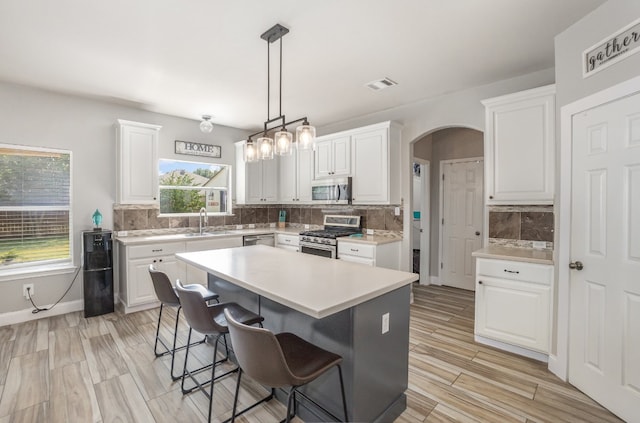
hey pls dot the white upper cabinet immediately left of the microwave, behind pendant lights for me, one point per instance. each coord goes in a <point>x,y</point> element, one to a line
<point>296,174</point>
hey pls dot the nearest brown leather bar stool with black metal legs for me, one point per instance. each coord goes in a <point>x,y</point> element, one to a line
<point>281,360</point>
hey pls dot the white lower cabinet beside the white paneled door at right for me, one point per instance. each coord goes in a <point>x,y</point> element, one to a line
<point>513,303</point>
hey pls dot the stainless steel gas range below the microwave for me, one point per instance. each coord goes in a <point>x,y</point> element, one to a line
<point>324,242</point>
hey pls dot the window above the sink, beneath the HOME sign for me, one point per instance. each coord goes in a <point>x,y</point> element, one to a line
<point>186,187</point>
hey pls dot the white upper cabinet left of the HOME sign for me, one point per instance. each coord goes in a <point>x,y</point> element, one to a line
<point>137,162</point>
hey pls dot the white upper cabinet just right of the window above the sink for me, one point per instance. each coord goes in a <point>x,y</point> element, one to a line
<point>257,182</point>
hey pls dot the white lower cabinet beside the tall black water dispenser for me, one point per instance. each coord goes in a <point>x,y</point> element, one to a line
<point>135,287</point>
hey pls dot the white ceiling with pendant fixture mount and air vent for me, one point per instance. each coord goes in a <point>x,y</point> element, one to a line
<point>193,57</point>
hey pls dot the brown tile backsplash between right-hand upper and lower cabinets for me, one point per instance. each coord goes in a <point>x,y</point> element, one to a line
<point>519,226</point>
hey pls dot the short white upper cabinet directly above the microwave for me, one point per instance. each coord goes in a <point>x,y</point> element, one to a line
<point>332,156</point>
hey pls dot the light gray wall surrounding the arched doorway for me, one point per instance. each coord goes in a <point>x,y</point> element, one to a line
<point>458,109</point>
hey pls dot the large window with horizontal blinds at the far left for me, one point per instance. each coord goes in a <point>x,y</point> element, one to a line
<point>35,204</point>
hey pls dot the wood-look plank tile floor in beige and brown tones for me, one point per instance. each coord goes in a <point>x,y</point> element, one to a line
<point>102,369</point>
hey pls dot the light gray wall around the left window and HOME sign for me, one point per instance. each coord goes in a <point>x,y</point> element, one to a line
<point>86,127</point>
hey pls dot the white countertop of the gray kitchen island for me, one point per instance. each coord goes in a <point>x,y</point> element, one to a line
<point>316,286</point>
